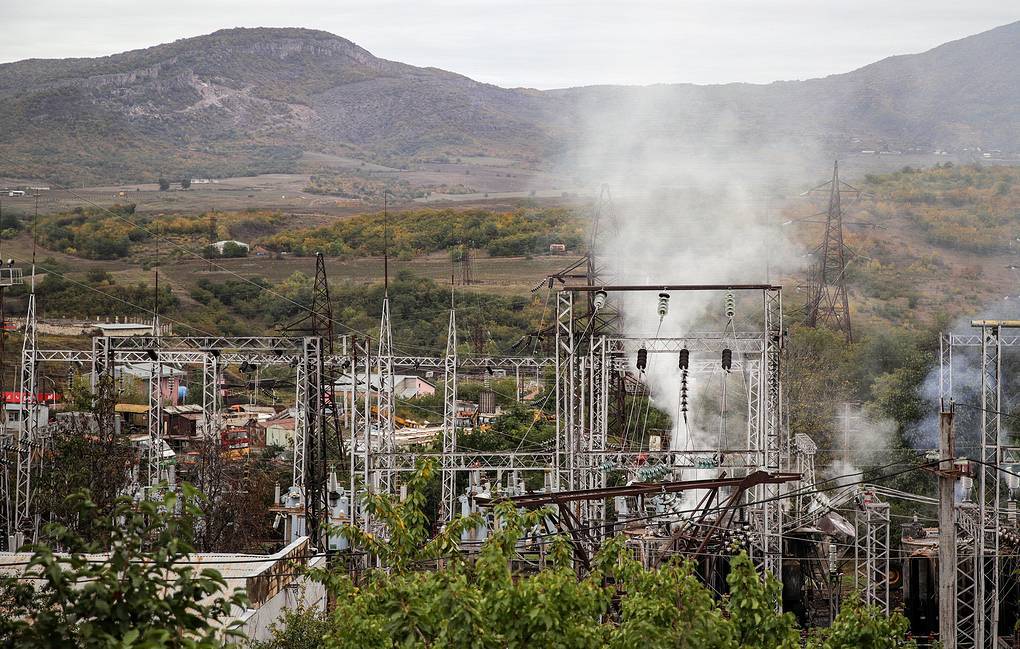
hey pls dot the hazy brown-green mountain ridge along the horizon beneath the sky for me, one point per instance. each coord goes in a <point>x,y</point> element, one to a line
<point>251,101</point>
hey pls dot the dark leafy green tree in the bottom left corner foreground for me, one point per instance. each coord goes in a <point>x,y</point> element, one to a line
<point>144,592</point>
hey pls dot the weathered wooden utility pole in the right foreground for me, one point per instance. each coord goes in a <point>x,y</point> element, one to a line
<point>947,531</point>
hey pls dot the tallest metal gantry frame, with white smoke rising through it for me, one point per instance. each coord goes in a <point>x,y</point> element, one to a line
<point>584,362</point>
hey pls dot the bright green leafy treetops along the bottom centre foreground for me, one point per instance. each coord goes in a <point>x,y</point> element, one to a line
<point>427,594</point>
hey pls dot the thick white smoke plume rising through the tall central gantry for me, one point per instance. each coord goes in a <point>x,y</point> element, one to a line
<point>692,209</point>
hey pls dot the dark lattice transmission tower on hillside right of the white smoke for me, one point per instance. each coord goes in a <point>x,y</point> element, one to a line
<point>829,303</point>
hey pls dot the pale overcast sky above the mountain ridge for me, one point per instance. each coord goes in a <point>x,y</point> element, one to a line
<point>538,43</point>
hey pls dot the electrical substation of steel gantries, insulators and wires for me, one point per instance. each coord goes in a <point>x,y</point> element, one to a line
<point>716,484</point>
